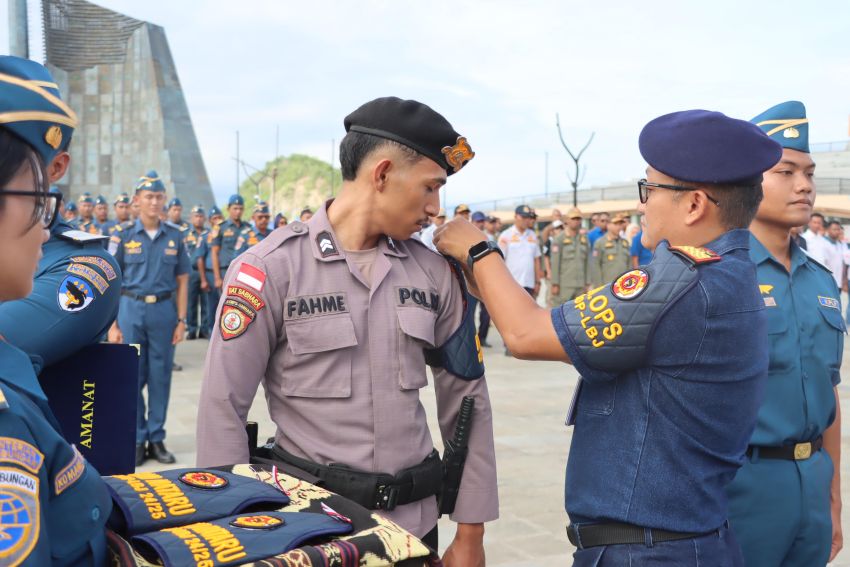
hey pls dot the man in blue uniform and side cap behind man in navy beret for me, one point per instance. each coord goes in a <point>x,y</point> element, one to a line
<point>785,502</point>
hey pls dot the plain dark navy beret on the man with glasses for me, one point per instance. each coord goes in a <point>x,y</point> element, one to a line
<point>701,146</point>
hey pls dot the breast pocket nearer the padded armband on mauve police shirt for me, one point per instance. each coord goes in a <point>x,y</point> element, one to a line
<point>416,333</point>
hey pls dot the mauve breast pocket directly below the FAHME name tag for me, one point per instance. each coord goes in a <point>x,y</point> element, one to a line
<point>318,357</point>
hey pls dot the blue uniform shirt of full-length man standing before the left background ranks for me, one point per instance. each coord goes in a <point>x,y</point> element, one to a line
<point>150,266</point>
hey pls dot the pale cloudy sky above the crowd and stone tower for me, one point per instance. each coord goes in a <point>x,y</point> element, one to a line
<point>499,71</point>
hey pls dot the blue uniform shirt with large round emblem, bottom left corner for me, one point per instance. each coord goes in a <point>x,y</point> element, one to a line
<point>54,503</point>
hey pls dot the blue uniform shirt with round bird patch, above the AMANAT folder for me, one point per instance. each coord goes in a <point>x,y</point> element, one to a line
<point>74,299</point>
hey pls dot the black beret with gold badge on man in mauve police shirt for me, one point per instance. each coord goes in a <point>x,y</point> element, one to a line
<point>414,125</point>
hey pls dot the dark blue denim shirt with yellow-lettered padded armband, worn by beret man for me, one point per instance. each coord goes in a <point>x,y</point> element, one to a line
<point>673,376</point>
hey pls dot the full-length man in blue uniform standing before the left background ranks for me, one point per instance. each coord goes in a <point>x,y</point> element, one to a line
<point>152,312</point>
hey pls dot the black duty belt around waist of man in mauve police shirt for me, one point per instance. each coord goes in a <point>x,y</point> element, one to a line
<point>375,491</point>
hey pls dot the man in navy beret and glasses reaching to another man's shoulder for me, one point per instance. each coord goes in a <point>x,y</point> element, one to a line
<point>672,355</point>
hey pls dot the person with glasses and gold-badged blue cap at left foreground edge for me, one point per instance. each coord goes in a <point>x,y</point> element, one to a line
<point>53,504</point>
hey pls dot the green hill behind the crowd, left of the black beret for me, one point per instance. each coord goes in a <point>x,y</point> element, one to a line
<point>299,181</point>
